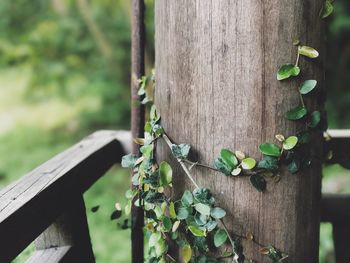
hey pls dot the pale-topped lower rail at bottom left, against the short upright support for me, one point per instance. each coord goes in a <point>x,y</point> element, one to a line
<point>51,255</point>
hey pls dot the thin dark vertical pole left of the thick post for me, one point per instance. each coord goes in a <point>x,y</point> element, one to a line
<point>137,114</point>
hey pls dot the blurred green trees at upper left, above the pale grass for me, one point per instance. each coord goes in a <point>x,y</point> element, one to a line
<point>70,56</point>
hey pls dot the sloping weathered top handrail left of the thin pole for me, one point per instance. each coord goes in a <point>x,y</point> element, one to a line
<point>30,205</point>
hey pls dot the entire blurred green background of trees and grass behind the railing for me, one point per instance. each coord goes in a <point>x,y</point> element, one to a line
<point>64,73</point>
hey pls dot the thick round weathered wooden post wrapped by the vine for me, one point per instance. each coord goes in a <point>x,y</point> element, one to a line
<point>216,64</point>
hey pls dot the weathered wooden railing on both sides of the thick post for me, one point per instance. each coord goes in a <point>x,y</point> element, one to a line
<point>46,205</point>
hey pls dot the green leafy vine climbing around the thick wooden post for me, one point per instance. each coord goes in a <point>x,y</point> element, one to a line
<point>194,222</point>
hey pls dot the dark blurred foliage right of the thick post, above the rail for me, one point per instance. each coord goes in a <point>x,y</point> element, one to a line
<point>338,66</point>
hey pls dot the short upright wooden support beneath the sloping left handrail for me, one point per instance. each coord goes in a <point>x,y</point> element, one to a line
<point>70,229</point>
